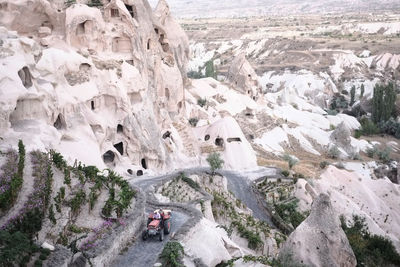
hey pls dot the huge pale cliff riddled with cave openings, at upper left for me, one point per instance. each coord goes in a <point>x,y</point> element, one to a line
<point>109,80</point>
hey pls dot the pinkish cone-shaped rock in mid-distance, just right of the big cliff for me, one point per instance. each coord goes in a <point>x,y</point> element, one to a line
<point>243,78</point>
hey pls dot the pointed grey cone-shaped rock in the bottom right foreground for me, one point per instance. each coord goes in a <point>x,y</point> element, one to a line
<point>319,240</point>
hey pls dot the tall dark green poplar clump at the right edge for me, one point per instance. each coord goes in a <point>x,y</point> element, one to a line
<point>383,102</point>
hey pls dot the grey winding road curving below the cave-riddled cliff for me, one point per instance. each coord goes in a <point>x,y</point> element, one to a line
<point>145,253</point>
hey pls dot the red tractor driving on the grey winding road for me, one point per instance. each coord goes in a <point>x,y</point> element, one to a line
<point>158,227</point>
